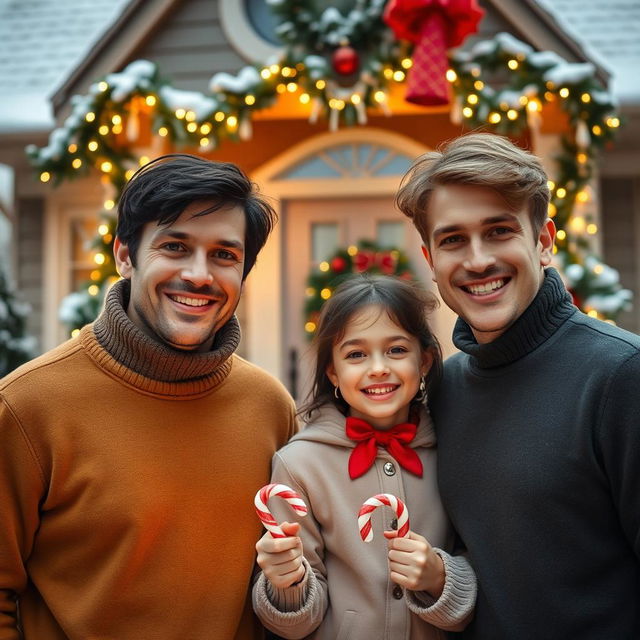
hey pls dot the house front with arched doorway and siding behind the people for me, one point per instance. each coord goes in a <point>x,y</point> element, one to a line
<point>332,187</point>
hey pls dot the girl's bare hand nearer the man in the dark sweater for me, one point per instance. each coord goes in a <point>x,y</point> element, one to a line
<point>413,564</point>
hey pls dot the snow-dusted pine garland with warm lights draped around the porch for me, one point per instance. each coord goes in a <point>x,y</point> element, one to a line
<point>106,124</point>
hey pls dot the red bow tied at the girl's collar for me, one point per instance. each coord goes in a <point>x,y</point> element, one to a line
<point>394,440</point>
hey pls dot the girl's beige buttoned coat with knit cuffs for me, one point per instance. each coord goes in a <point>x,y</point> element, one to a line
<point>347,592</point>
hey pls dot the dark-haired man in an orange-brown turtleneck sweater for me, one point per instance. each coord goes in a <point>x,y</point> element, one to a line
<point>130,455</point>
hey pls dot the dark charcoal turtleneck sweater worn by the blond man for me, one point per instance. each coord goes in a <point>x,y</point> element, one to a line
<point>539,469</point>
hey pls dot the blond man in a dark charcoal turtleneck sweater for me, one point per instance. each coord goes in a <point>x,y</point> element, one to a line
<point>537,416</point>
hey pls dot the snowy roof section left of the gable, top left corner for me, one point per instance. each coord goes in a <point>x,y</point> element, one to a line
<point>41,42</point>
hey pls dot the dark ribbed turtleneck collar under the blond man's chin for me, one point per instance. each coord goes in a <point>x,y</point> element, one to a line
<point>549,309</point>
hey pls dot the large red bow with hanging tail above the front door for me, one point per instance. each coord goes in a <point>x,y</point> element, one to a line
<point>433,26</point>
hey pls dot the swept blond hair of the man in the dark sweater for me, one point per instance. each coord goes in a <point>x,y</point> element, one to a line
<point>477,159</point>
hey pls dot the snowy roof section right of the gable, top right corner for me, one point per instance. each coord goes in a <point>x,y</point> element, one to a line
<point>609,32</point>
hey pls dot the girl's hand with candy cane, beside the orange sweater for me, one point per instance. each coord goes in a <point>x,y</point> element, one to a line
<point>280,549</point>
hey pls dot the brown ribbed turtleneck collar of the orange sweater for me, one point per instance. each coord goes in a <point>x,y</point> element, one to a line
<point>120,347</point>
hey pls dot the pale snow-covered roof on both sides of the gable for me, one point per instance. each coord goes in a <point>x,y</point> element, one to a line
<point>42,43</point>
